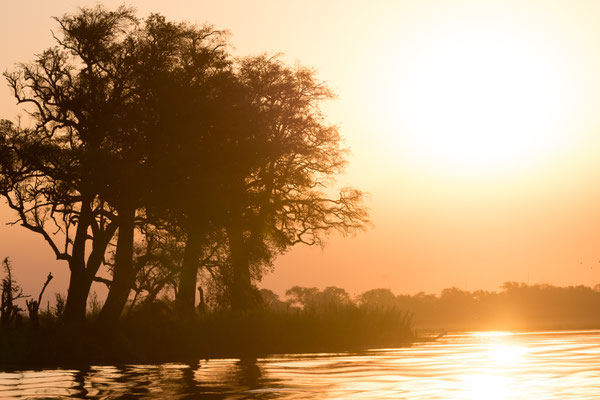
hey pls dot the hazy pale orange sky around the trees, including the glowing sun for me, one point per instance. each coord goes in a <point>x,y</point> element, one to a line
<point>472,124</point>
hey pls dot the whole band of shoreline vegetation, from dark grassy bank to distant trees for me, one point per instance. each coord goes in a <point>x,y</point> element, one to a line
<point>309,320</point>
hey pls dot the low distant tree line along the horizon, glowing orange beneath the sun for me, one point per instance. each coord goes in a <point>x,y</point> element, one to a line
<point>516,306</point>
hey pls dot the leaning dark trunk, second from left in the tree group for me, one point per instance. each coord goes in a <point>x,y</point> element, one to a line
<point>123,273</point>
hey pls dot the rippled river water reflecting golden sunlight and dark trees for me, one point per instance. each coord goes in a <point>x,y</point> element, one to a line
<point>479,365</point>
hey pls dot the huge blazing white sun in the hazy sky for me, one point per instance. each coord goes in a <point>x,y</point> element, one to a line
<point>472,95</point>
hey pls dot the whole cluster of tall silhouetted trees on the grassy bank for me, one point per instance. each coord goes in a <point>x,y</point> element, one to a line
<point>154,152</point>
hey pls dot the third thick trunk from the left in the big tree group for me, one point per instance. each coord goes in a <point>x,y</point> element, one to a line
<point>186,293</point>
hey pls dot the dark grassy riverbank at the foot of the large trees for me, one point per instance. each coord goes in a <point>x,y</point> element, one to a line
<point>155,337</point>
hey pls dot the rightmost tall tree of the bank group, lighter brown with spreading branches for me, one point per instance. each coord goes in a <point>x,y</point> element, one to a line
<point>280,200</point>
